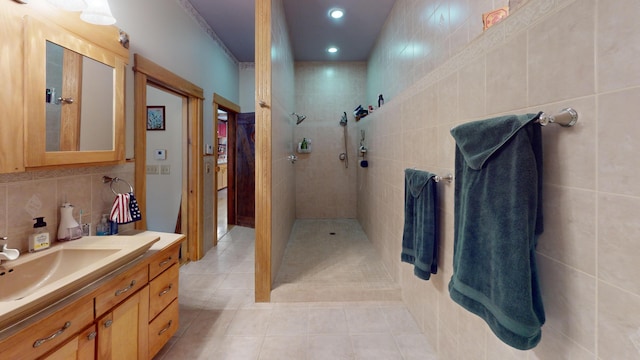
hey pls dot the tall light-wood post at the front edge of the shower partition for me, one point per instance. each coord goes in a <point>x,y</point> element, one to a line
<point>263,152</point>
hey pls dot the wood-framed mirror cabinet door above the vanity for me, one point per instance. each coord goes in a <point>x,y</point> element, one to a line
<point>74,98</point>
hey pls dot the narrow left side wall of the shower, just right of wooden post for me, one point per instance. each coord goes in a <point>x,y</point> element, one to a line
<point>283,172</point>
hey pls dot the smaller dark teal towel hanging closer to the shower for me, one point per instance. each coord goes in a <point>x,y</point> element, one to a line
<point>420,235</point>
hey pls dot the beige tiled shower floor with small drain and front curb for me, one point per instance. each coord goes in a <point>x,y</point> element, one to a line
<point>332,260</point>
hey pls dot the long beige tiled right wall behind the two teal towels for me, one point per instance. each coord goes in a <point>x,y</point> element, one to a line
<point>547,55</point>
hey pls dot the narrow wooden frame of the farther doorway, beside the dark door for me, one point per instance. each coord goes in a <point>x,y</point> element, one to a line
<point>232,110</point>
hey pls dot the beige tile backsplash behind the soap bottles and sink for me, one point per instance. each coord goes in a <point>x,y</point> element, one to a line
<point>24,196</point>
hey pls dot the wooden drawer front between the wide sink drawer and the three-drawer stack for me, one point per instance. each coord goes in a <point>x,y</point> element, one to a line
<point>119,289</point>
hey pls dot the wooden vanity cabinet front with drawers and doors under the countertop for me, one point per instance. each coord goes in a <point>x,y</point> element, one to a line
<point>131,315</point>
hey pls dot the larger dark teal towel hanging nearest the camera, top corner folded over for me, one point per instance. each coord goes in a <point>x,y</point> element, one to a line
<point>497,220</point>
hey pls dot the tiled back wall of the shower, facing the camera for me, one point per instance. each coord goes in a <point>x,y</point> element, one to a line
<point>325,188</point>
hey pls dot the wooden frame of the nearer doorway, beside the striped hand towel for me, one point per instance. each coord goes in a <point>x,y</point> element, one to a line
<point>146,73</point>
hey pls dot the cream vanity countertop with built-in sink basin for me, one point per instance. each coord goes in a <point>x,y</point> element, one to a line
<point>37,279</point>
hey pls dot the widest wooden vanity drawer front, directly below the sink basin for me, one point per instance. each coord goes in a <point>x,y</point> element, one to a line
<point>42,336</point>
